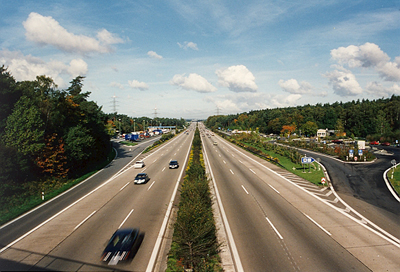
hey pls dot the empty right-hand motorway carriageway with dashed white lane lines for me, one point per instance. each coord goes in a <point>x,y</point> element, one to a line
<point>279,222</point>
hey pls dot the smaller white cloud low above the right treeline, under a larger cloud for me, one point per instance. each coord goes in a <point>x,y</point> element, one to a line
<point>343,82</point>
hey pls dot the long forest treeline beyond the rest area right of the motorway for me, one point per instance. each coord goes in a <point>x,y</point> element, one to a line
<point>373,120</point>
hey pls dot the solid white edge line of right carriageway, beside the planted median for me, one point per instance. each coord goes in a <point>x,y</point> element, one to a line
<point>234,251</point>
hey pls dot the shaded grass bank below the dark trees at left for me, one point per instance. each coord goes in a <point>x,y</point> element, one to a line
<point>30,195</point>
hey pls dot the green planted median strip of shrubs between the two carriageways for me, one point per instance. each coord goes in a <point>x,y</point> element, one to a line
<point>194,243</point>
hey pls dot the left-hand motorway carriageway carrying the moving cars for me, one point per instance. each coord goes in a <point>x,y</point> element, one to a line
<point>74,238</point>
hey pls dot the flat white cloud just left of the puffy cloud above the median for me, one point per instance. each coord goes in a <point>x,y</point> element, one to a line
<point>193,82</point>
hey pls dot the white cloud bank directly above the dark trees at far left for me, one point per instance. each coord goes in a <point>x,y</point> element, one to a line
<point>28,67</point>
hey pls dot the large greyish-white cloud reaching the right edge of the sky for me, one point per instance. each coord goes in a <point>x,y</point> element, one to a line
<point>368,55</point>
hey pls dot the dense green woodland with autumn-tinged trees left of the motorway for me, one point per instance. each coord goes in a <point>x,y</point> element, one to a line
<point>47,134</point>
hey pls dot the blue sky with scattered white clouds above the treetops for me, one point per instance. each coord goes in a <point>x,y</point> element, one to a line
<point>193,59</point>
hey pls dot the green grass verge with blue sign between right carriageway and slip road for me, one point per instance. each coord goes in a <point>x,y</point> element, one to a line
<point>311,172</point>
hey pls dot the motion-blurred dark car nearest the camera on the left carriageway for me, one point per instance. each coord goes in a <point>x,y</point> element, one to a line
<point>120,246</point>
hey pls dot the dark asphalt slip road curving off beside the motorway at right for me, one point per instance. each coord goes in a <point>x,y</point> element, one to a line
<point>361,186</point>
